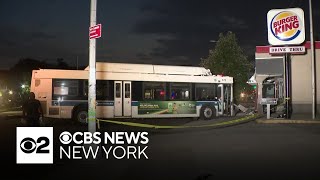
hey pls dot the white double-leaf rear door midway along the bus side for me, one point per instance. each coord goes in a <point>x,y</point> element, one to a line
<point>122,98</point>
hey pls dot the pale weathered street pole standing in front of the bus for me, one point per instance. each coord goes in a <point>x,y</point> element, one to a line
<point>92,73</point>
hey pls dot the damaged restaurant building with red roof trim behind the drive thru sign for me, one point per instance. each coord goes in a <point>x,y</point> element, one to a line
<point>270,78</point>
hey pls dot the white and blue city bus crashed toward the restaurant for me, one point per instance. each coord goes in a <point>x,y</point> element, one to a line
<point>134,91</point>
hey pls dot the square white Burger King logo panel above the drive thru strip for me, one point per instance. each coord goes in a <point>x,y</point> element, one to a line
<point>286,26</point>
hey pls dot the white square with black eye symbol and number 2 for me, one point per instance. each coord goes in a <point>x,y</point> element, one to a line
<point>34,145</point>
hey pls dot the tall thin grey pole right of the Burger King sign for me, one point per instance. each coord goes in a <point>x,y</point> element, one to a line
<point>312,64</point>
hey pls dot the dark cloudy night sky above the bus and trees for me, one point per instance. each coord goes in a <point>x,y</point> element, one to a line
<point>135,31</point>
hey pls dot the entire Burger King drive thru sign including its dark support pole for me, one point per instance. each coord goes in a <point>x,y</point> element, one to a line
<point>286,27</point>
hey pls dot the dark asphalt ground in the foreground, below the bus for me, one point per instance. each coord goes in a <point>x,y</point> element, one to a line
<point>248,150</point>
